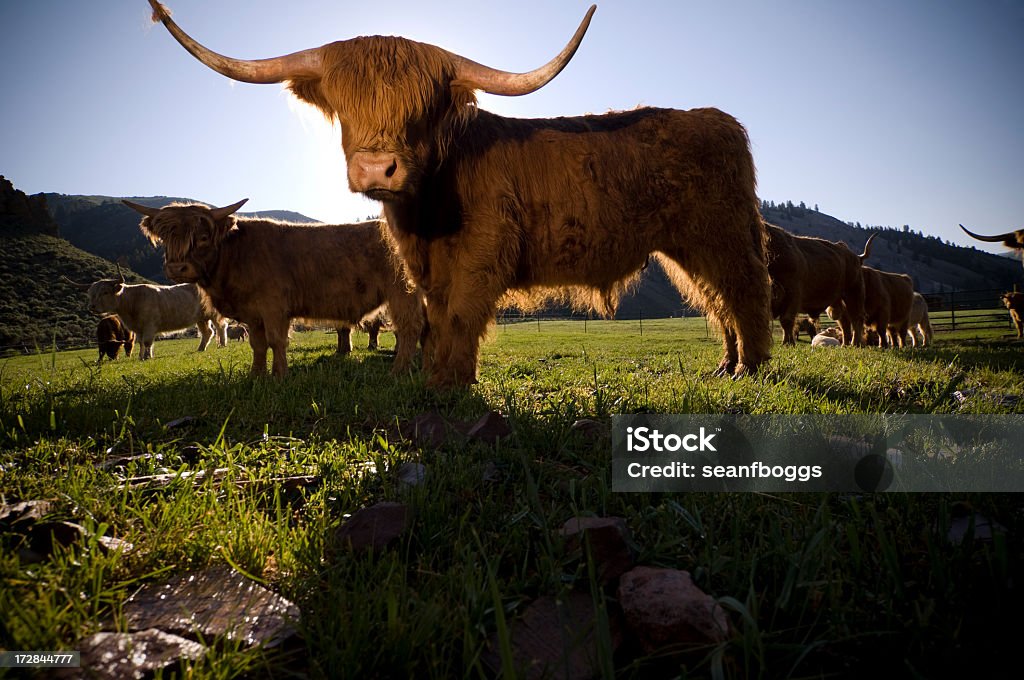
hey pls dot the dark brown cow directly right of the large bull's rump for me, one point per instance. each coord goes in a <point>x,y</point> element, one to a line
<point>810,275</point>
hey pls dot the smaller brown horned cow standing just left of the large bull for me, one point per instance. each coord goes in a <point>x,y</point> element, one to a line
<point>265,273</point>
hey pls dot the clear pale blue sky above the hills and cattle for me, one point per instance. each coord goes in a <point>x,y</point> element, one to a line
<point>883,112</point>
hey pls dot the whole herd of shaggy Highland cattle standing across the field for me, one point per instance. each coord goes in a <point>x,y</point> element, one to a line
<point>477,206</point>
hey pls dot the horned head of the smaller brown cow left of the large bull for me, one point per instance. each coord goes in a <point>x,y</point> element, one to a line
<point>191,235</point>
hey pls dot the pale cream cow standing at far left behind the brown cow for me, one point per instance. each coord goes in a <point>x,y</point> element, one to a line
<point>148,310</point>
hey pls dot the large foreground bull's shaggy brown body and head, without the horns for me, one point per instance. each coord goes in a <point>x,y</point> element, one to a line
<point>482,205</point>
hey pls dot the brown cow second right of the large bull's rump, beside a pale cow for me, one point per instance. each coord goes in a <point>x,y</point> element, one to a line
<point>888,299</point>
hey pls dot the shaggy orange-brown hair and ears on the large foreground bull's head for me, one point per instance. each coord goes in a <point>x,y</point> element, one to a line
<point>386,83</point>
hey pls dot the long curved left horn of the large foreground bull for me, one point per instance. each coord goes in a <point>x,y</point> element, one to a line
<point>307,64</point>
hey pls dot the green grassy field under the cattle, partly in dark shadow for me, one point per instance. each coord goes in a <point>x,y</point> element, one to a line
<point>816,585</point>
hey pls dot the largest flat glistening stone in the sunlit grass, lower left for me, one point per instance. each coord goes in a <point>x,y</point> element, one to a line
<point>218,603</point>
